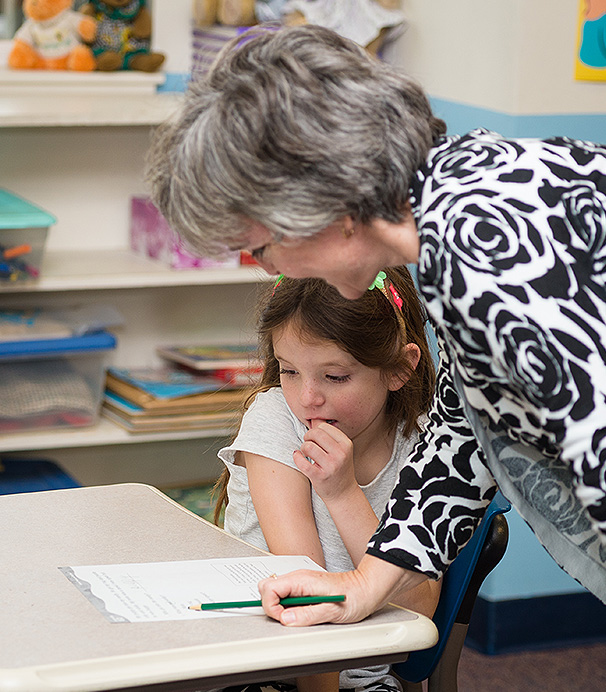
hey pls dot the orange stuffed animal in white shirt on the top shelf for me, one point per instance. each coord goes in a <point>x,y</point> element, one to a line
<point>51,38</point>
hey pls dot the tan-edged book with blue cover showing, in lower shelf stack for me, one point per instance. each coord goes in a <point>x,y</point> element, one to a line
<point>159,387</point>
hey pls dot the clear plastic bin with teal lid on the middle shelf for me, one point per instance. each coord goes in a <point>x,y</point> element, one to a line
<point>23,231</point>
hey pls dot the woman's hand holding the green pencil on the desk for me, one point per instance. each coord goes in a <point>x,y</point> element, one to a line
<point>366,589</point>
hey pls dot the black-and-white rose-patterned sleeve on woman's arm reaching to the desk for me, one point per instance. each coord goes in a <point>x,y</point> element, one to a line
<point>445,478</point>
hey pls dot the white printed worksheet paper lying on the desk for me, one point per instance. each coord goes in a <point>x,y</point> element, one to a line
<point>156,591</point>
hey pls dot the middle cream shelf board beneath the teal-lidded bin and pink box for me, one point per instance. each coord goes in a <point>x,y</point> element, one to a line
<point>85,270</point>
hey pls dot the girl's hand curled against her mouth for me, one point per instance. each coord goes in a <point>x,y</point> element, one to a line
<point>326,458</point>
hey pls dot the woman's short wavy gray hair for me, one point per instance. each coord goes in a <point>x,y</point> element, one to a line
<point>292,129</point>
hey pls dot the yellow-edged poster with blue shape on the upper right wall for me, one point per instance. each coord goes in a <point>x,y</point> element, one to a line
<point>590,63</point>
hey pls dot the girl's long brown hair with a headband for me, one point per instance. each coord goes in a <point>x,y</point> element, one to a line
<point>372,329</point>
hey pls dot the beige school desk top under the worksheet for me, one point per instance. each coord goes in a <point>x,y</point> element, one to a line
<point>54,639</point>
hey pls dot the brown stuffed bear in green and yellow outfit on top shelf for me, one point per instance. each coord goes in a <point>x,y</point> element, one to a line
<point>123,39</point>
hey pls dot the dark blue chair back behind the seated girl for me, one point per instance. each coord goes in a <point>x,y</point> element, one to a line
<point>420,664</point>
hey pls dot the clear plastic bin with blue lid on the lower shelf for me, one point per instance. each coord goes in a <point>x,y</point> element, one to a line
<point>52,383</point>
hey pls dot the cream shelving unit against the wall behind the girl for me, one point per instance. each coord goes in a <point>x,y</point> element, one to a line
<point>78,141</point>
